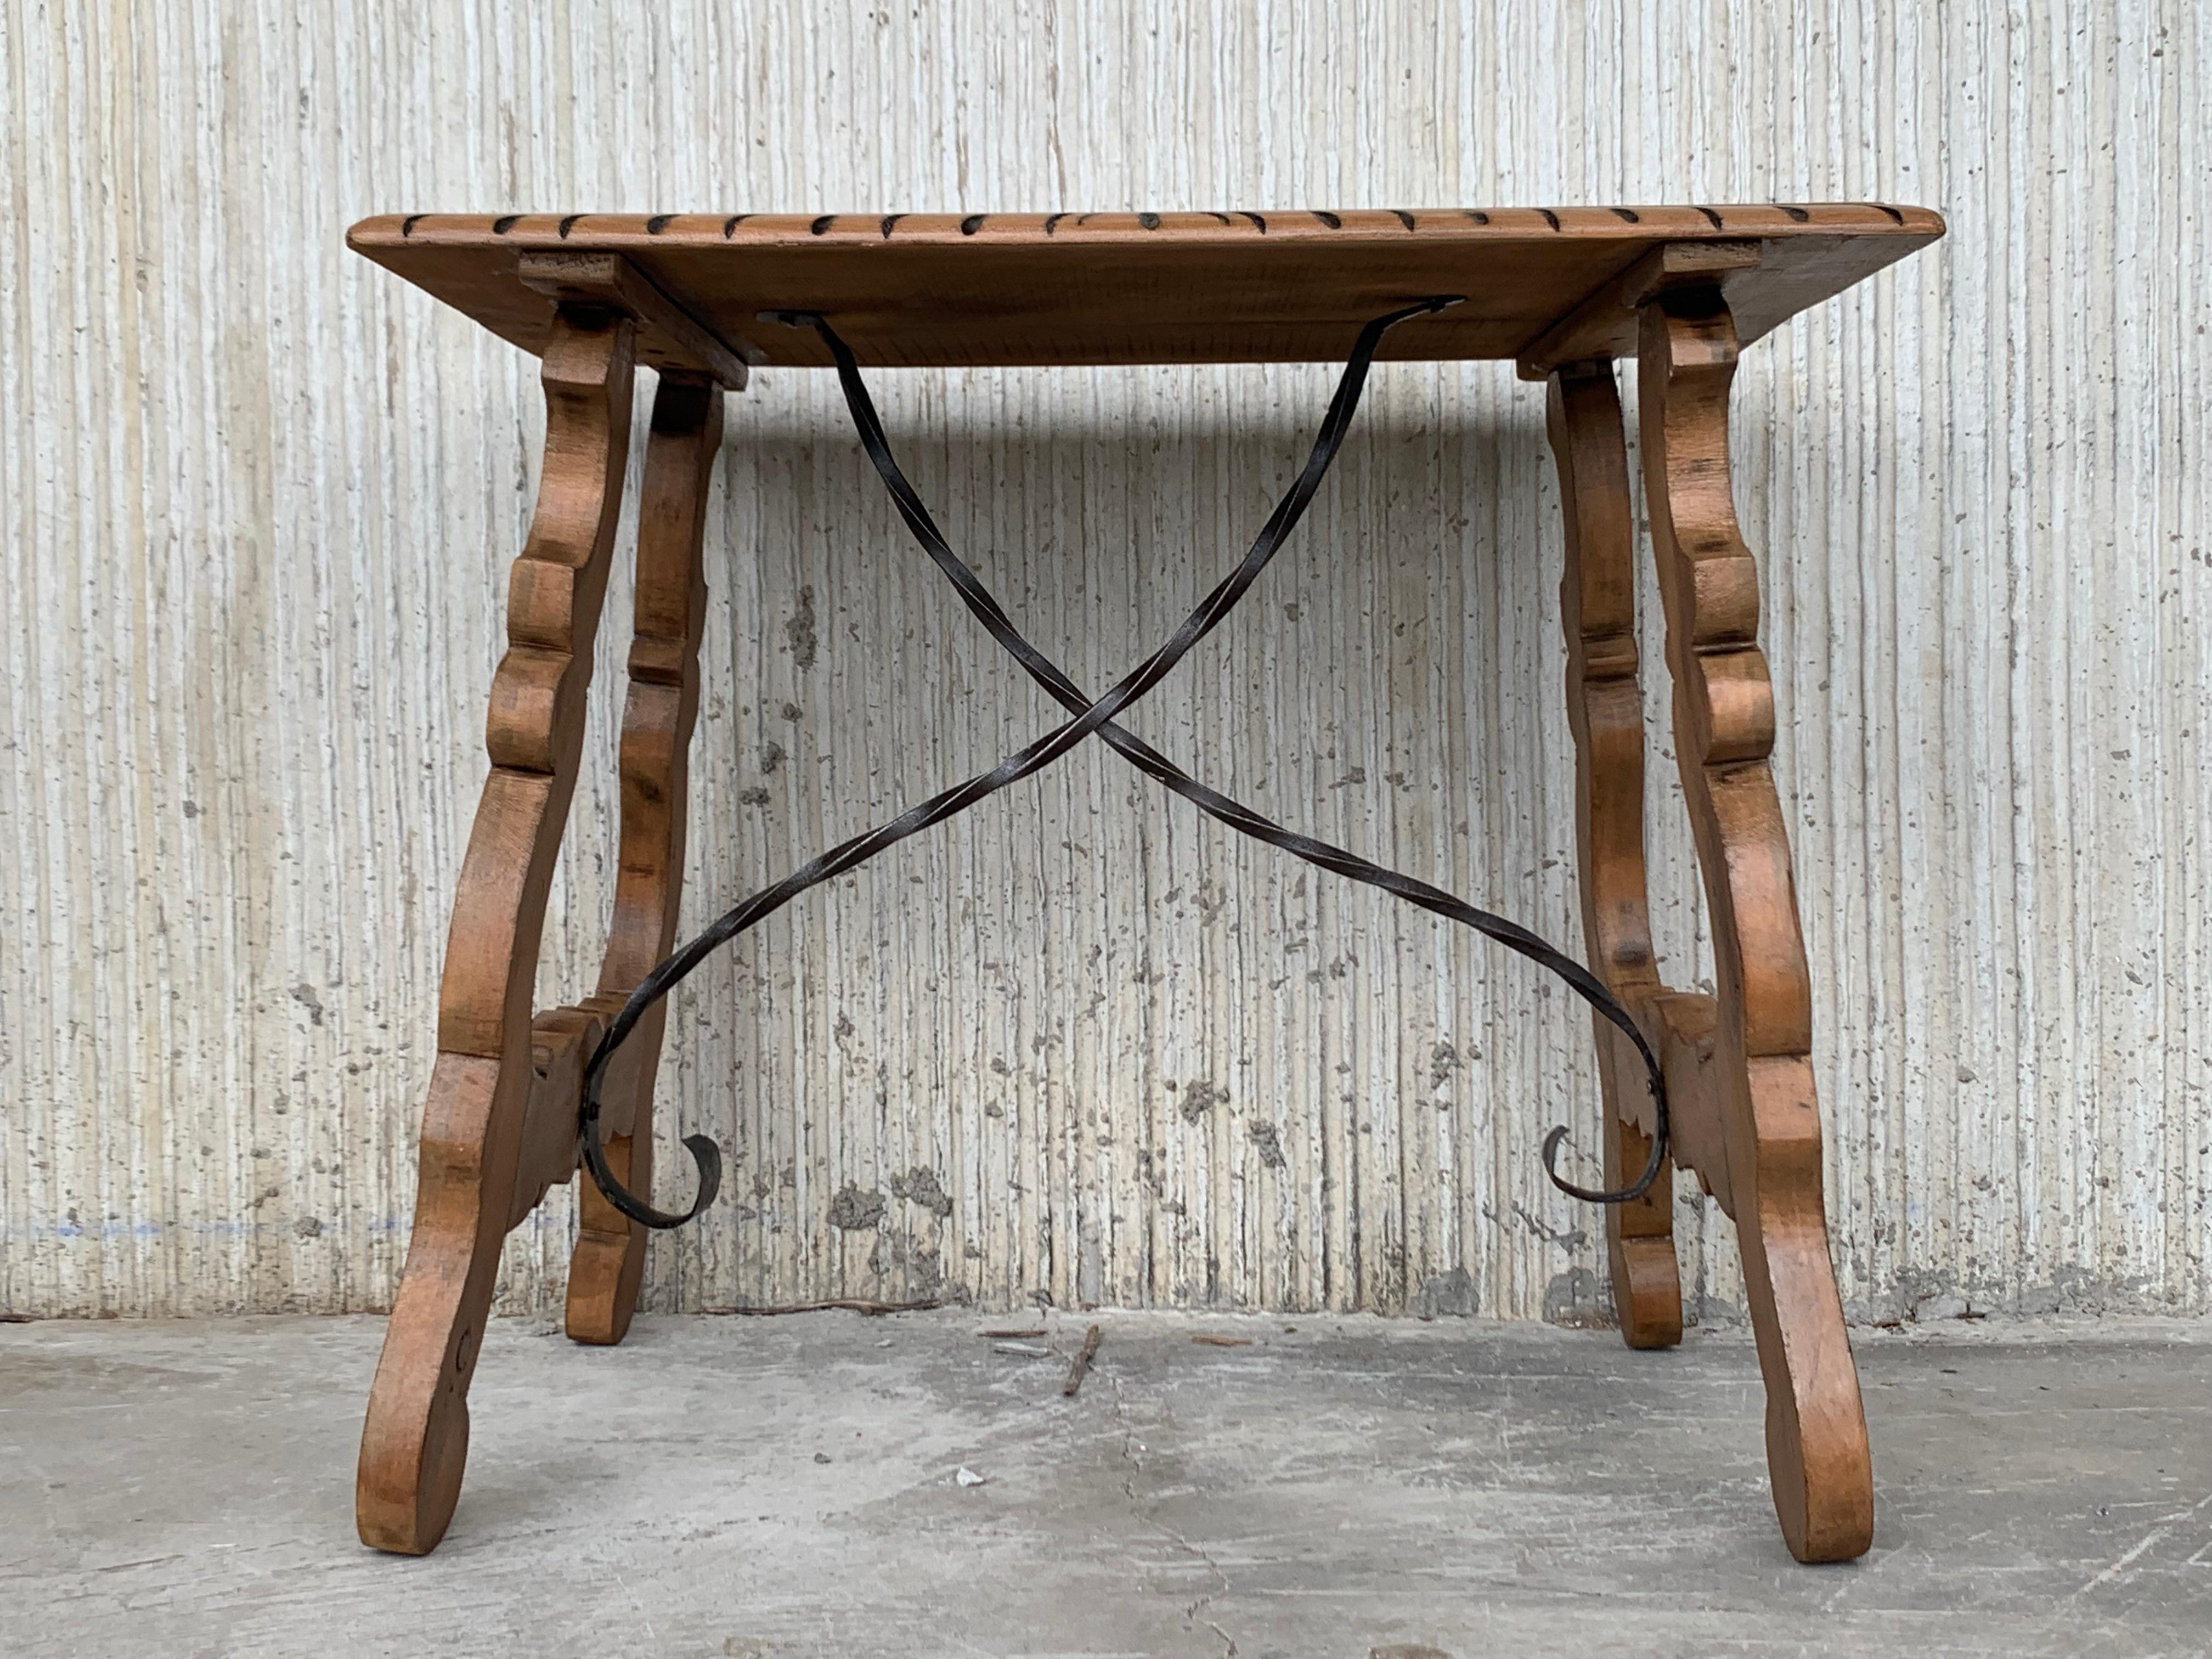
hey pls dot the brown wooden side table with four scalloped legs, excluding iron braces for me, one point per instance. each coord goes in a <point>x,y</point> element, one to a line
<point>1563,293</point>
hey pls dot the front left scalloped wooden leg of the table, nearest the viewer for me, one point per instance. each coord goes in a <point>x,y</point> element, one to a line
<point>417,1434</point>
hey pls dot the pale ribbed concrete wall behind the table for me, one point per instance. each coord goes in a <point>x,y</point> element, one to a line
<point>260,503</point>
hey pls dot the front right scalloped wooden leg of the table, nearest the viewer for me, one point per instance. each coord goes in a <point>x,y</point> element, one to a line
<point>1760,1070</point>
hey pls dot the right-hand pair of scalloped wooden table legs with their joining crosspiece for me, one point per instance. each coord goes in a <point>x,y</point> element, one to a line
<point>1740,1074</point>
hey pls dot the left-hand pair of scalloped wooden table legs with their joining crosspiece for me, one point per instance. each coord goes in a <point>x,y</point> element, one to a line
<point>501,1125</point>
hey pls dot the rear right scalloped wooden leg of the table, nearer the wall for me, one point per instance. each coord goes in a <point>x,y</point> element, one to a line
<point>1605,705</point>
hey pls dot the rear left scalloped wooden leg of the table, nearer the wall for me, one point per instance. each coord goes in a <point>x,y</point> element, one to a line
<point>658,718</point>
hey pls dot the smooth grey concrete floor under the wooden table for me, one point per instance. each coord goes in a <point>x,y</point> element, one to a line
<point>778,1488</point>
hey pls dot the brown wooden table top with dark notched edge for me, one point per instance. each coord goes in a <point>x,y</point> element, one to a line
<point>1003,289</point>
